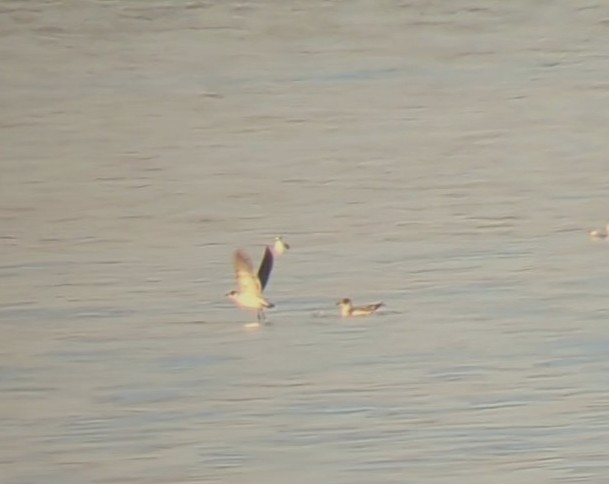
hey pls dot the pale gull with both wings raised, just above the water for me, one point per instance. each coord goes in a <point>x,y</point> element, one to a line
<point>251,285</point>
